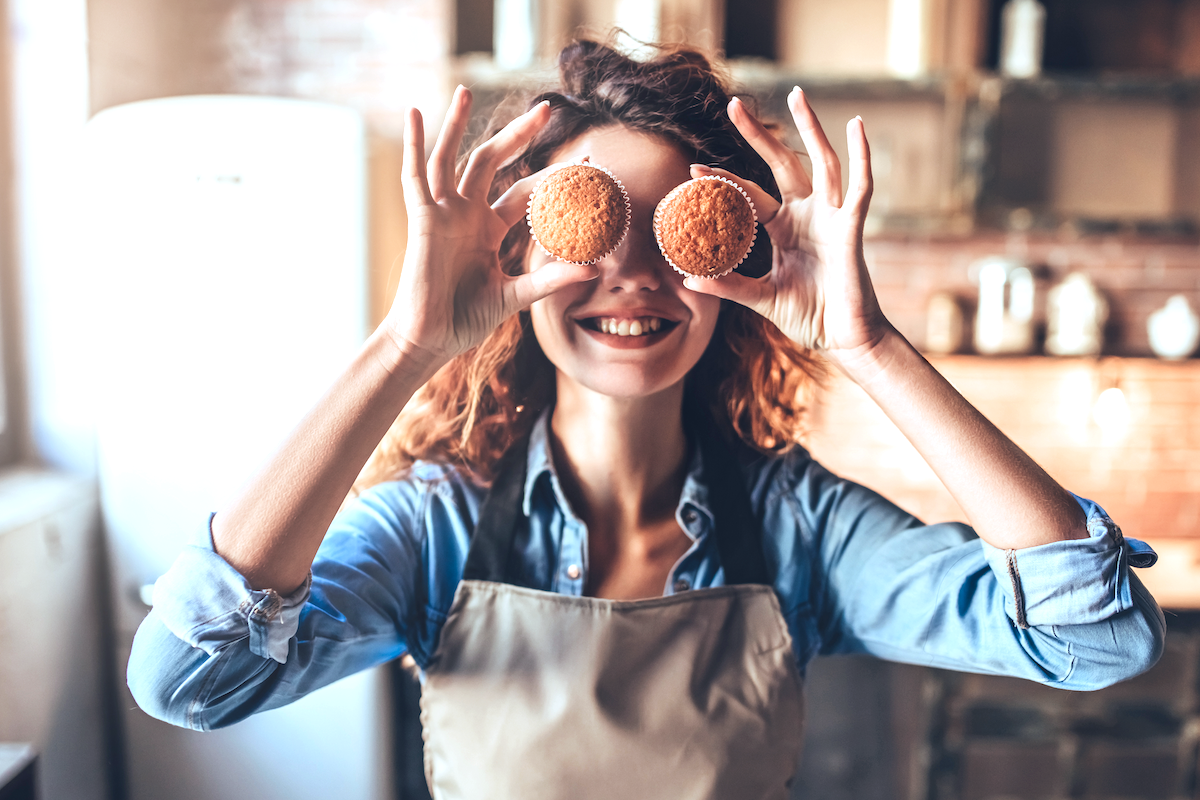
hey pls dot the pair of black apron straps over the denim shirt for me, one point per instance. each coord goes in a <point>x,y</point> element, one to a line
<point>739,533</point>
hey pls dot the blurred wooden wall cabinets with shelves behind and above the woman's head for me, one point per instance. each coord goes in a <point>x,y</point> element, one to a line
<point>1108,141</point>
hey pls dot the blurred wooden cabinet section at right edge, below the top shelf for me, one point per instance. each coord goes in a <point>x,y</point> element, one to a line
<point>1101,154</point>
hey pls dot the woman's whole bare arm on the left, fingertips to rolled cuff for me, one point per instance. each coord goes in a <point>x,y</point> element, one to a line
<point>452,296</point>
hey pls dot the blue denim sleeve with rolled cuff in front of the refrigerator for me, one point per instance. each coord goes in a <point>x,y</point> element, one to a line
<point>214,651</point>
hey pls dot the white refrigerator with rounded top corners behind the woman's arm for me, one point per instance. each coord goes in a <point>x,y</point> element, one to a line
<point>227,248</point>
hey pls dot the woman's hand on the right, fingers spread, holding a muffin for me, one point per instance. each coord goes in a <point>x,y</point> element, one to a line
<point>818,292</point>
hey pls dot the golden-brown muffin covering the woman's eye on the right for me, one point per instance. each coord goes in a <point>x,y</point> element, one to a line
<point>706,227</point>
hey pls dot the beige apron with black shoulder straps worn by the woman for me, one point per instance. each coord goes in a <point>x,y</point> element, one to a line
<point>539,696</point>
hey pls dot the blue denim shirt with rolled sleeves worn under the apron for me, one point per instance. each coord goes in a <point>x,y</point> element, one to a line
<point>853,573</point>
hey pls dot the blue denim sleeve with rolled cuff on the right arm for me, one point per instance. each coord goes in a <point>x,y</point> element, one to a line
<point>937,596</point>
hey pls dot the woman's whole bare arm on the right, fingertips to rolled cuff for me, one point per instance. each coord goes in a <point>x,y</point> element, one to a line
<point>820,294</point>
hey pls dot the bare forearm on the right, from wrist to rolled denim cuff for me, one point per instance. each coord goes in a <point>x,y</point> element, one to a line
<point>1010,501</point>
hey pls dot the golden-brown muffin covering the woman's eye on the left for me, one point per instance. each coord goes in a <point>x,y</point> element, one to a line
<point>579,214</point>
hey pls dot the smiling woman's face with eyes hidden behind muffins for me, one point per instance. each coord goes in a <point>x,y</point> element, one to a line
<point>637,291</point>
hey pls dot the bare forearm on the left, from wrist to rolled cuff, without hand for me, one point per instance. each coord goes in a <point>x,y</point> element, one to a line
<point>272,533</point>
